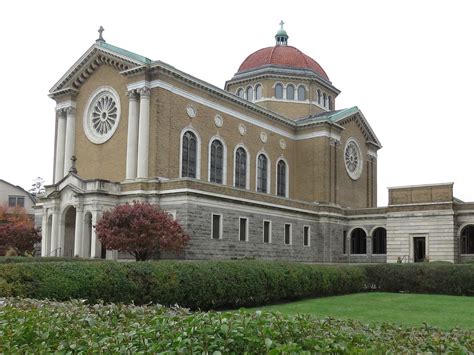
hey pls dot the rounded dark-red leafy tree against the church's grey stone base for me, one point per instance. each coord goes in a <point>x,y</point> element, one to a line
<point>140,229</point>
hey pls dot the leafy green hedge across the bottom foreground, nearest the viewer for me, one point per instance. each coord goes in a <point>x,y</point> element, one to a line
<point>42,327</point>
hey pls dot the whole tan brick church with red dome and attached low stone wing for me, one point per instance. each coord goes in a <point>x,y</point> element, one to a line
<point>268,167</point>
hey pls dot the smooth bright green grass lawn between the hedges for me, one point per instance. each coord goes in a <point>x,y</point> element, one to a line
<point>405,309</point>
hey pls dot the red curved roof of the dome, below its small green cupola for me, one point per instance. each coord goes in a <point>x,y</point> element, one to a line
<point>282,56</point>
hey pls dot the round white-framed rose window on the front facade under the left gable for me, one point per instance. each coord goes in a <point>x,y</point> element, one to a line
<point>102,115</point>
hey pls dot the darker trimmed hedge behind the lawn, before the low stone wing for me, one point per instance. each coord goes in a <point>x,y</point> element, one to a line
<point>434,278</point>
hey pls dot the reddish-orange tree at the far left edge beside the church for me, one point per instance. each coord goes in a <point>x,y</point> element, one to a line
<point>17,231</point>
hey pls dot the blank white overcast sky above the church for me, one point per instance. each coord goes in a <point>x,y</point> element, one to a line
<point>408,65</point>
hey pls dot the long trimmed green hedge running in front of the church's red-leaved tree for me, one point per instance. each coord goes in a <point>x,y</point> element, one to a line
<point>196,285</point>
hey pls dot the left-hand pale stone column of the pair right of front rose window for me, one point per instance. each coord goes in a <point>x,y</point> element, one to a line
<point>132,138</point>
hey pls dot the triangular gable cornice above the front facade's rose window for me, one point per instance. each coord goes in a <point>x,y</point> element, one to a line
<point>98,54</point>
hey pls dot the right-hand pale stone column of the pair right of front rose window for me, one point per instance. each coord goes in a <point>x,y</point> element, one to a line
<point>143,134</point>
